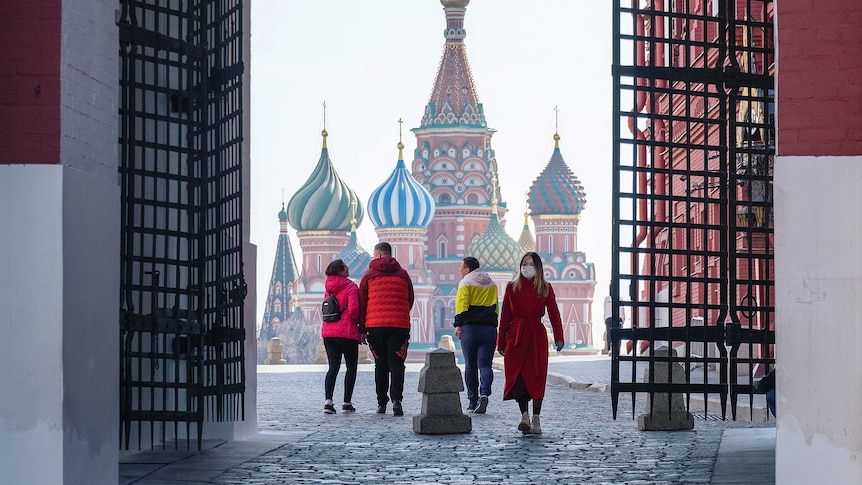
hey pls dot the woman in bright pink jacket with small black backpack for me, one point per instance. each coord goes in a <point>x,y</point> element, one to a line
<point>341,338</point>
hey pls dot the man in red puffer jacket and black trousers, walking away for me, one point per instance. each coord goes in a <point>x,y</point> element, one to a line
<point>385,300</point>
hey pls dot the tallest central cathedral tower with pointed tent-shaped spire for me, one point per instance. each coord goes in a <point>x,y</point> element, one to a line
<point>454,161</point>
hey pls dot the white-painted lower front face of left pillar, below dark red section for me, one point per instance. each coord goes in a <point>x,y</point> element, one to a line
<point>31,316</point>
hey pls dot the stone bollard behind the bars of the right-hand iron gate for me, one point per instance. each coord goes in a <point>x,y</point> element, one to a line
<point>667,411</point>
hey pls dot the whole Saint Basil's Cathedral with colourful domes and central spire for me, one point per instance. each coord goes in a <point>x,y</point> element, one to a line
<point>444,205</point>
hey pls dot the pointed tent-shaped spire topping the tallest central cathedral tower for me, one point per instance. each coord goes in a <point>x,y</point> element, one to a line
<point>454,101</point>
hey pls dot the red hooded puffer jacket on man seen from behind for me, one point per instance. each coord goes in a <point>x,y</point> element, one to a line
<point>385,295</point>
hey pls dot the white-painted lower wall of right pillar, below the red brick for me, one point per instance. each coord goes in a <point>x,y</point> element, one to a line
<point>818,284</point>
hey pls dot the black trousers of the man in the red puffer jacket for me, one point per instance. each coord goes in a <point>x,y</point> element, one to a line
<point>389,347</point>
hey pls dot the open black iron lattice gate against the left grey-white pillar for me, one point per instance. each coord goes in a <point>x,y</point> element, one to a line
<point>182,285</point>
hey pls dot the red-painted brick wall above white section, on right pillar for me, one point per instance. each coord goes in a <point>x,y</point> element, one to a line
<point>819,77</point>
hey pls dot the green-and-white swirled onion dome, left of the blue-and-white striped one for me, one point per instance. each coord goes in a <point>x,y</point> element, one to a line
<point>323,203</point>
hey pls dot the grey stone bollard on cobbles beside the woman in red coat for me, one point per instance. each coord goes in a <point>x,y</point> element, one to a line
<point>440,383</point>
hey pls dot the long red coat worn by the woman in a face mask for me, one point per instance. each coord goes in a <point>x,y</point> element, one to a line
<point>523,338</point>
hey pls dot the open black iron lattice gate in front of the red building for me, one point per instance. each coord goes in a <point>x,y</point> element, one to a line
<point>692,263</point>
